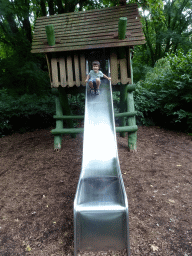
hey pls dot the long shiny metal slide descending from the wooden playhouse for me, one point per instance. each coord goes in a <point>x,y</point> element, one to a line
<point>101,220</point>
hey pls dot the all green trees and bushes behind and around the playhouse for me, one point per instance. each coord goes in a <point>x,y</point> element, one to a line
<point>162,67</point>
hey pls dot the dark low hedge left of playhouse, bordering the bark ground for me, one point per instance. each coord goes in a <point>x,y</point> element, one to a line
<point>25,113</point>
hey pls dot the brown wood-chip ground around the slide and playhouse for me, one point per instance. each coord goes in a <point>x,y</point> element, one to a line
<point>38,185</point>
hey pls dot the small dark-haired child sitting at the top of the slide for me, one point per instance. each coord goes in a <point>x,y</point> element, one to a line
<point>94,78</point>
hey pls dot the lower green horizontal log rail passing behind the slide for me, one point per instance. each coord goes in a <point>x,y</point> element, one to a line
<point>81,130</point>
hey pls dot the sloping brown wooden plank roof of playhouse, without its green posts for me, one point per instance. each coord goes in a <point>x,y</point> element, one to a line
<point>89,30</point>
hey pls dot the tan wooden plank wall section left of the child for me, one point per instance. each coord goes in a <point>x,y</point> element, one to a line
<point>68,71</point>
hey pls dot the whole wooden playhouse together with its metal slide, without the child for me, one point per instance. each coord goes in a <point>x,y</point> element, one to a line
<point>71,42</point>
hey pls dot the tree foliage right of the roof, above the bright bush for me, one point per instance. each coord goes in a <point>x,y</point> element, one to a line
<point>166,26</point>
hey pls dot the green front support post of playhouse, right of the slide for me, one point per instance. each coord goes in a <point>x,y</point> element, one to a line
<point>132,136</point>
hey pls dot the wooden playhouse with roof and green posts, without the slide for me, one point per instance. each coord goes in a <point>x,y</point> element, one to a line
<point>90,35</point>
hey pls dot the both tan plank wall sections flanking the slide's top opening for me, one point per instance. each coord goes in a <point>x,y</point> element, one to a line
<point>71,70</point>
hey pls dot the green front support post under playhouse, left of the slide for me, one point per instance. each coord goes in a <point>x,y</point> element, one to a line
<point>59,123</point>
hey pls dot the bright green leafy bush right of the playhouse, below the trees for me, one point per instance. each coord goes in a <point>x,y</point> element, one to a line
<point>165,96</point>
